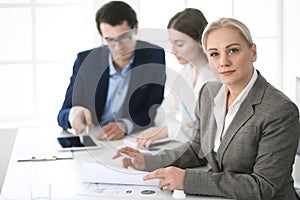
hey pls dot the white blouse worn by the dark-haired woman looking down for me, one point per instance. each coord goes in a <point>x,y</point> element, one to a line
<point>179,103</point>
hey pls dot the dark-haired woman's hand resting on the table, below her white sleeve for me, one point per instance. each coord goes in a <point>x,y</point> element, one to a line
<point>151,134</point>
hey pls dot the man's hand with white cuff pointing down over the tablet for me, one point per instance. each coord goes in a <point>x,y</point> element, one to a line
<point>80,118</point>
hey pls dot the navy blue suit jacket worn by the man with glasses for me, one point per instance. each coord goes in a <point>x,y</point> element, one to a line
<point>89,85</point>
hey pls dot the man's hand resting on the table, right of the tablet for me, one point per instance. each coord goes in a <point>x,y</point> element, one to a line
<point>113,131</point>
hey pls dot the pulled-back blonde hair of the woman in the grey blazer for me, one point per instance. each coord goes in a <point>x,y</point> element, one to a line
<point>227,23</point>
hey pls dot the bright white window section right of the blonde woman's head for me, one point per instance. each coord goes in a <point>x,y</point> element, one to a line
<point>266,32</point>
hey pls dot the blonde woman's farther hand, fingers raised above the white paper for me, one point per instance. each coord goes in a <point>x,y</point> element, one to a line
<point>136,159</point>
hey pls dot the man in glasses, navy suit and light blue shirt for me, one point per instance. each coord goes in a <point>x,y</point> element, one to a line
<point>118,85</point>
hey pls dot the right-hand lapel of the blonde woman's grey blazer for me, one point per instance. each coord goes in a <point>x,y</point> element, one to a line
<point>245,111</point>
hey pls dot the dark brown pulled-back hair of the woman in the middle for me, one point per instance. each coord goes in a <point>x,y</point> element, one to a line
<point>190,21</point>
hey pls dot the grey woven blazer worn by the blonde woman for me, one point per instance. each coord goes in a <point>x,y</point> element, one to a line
<point>256,155</point>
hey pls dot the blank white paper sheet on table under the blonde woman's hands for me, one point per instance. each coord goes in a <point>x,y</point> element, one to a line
<point>98,173</point>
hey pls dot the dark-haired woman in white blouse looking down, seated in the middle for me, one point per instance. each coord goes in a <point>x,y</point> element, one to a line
<point>175,116</point>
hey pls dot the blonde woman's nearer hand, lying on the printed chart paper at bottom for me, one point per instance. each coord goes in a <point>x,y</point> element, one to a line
<point>171,176</point>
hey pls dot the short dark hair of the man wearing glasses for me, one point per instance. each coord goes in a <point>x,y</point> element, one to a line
<point>115,13</point>
